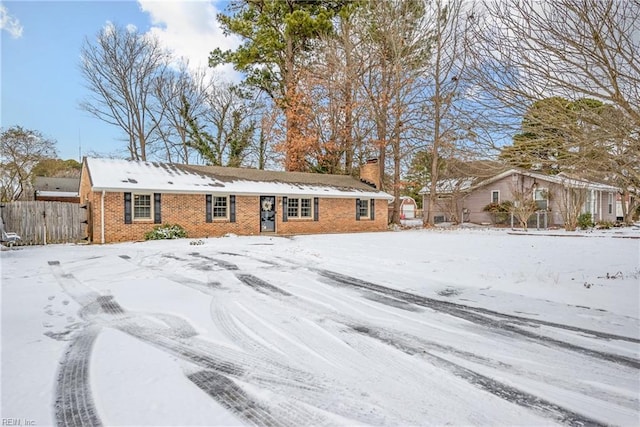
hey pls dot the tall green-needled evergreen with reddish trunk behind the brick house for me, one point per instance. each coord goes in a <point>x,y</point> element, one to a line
<point>277,34</point>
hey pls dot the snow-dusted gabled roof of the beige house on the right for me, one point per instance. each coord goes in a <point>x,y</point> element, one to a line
<point>466,185</point>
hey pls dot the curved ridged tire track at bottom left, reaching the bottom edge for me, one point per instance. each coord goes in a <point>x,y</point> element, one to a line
<point>74,405</point>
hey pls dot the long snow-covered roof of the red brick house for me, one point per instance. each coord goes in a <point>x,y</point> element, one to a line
<point>124,175</point>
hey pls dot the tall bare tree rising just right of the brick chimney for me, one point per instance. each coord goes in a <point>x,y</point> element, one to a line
<point>396,51</point>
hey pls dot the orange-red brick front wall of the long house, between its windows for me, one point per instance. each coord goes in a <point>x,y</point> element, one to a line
<point>188,210</point>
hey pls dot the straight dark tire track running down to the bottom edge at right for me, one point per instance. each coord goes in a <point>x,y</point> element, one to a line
<point>506,392</point>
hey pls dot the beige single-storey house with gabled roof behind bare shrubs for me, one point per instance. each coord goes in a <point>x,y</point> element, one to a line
<point>465,199</point>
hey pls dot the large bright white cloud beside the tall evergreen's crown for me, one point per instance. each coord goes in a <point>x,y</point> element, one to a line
<point>190,29</point>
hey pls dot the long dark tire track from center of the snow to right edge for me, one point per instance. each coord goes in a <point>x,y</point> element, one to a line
<point>474,315</point>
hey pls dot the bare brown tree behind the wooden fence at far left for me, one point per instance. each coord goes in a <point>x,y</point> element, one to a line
<point>21,150</point>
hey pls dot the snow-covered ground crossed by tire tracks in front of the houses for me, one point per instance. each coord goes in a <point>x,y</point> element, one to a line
<point>418,327</point>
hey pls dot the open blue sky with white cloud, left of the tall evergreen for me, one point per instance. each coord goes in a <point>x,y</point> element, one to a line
<point>41,85</point>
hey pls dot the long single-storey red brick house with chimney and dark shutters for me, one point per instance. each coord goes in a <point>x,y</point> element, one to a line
<point>126,199</point>
